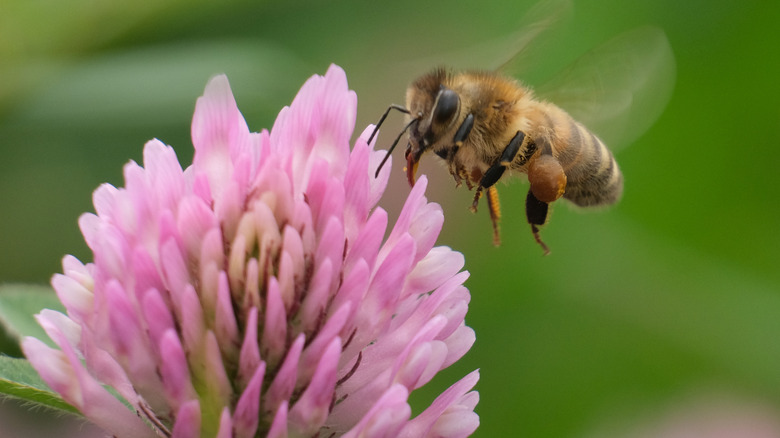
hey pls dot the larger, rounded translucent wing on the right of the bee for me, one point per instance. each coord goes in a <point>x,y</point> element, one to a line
<point>618,89</point>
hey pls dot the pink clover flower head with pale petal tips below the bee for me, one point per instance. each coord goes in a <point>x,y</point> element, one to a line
<point>254,293</point>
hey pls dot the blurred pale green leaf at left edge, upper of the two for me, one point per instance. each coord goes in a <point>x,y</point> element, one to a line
<point>18,305</point>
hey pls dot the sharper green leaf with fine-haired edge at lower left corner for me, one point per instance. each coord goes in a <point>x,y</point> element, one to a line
<point>19,379</point>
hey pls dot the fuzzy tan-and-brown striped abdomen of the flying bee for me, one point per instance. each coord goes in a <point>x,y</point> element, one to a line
<point>593,176</point>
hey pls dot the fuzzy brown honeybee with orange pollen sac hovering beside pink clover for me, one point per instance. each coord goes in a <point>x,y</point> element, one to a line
<point>487,124</point>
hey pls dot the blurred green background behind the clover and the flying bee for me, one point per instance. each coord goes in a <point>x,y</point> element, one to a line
<point>671,296</point>
